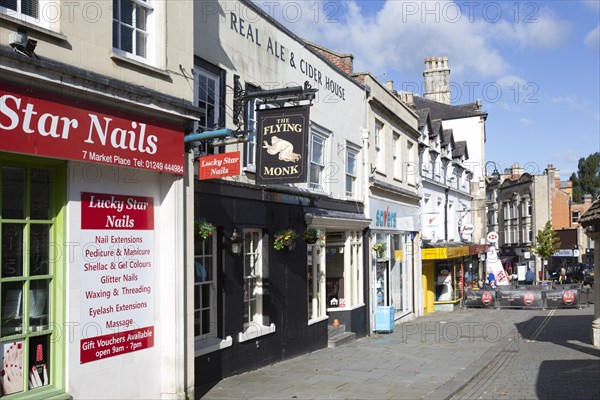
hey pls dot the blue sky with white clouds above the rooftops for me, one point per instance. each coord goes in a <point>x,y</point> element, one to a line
<point>534,64</point>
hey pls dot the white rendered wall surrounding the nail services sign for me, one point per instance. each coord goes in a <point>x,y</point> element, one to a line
<point>156,372</point>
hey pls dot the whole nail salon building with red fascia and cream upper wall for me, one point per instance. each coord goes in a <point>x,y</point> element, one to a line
<point>92,120</point>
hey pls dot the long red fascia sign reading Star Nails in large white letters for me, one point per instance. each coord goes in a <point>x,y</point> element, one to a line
<point>33,122</point>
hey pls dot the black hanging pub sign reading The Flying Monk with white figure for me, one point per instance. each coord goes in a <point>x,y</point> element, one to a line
<point>283,145</point>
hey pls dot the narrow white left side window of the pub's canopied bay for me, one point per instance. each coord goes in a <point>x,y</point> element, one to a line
<point>317,303</point>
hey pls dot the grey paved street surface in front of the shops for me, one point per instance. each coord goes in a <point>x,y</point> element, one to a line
<point>469,353</point>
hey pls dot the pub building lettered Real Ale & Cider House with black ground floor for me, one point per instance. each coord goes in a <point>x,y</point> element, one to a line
<point>272,294</point>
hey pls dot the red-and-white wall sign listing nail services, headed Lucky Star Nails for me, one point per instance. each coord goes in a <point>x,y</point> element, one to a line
<point>117,275</point>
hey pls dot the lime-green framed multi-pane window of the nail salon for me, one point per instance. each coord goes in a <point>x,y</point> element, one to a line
<point>31,279</point>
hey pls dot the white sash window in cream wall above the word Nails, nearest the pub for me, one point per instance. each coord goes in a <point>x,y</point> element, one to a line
<point>150,31</point>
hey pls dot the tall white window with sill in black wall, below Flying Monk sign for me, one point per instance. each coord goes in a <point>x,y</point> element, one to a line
<point>255,325</point>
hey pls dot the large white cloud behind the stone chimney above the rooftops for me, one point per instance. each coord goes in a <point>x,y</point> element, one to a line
<point>399,36</point>
